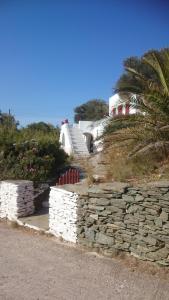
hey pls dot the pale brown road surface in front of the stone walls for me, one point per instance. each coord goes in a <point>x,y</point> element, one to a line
<point>37,267</point>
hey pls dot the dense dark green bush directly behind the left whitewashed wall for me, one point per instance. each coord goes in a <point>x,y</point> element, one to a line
<point>32,160</point>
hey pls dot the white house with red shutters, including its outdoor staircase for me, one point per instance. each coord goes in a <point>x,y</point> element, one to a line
<point>81,139</point>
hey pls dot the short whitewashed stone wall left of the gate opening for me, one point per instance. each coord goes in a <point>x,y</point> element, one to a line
<point>16,199</point>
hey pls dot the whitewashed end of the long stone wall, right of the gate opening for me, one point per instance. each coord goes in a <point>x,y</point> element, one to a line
<point>63,214</point>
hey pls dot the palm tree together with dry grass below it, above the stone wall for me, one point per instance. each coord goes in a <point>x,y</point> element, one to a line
<point>137,146</point>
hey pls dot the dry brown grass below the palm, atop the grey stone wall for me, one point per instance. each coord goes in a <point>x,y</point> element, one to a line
<point>137,169</point>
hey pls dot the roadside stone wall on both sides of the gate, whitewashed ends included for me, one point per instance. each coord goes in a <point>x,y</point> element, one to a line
<point>109,217</point>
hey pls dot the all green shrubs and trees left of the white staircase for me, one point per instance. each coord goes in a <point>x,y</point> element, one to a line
<point>32,152</point>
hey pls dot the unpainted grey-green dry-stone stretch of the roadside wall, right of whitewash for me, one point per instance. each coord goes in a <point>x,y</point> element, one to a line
<point>113,217</point>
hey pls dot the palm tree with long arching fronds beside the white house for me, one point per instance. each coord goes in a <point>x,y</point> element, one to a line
<point>148,79</point>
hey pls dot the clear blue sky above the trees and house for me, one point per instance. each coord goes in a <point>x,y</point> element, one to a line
<point>58,54</point>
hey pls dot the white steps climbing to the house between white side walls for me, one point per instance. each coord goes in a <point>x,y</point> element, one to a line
<point>78,142</point>
